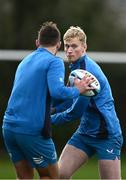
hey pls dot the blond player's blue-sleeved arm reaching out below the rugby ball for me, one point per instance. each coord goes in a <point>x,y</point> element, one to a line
<point>73,113</point>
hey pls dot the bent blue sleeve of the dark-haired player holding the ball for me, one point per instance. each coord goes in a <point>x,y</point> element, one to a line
<point>55,78</point>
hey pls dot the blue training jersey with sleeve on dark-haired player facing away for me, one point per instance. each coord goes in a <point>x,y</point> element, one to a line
<point>38,76</point>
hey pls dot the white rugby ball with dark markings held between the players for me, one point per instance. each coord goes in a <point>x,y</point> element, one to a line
<point>80,73</point>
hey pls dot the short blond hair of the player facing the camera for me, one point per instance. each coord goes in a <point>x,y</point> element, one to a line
<point>75,31</point>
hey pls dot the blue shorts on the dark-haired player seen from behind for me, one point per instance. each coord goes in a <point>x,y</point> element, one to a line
<point>38,151</point>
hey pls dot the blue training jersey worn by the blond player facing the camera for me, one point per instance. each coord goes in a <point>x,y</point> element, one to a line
<point>97,114</point>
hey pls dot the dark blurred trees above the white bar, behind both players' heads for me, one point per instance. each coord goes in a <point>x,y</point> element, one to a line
<point>103,21</point>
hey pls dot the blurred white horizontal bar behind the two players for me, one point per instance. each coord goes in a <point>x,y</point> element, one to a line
<point>101,57</point>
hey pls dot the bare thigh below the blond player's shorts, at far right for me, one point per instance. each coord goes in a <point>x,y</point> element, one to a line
<point>110,169</point>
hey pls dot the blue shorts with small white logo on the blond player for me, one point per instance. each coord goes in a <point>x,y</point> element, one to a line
<point>108,149</point>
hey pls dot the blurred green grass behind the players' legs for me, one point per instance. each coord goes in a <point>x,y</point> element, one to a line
<point>89,171</point>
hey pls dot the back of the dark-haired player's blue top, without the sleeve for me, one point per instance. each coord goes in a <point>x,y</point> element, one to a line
<point>26,107</point>
